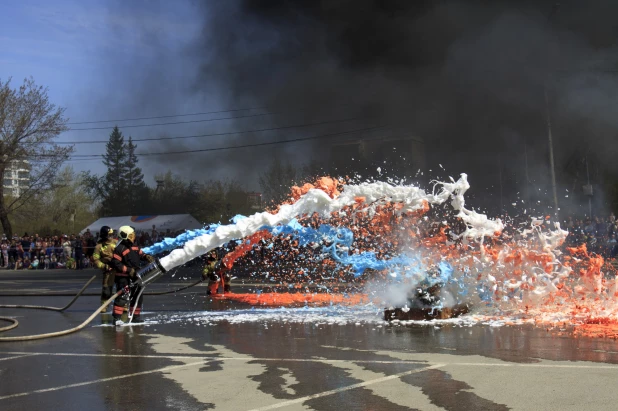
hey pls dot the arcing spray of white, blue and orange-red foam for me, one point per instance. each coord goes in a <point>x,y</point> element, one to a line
<point>524,277</point>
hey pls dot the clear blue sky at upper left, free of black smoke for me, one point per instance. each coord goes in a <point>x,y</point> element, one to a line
<point>94,55</point>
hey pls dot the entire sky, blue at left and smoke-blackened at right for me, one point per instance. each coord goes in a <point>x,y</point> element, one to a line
<point>469,79</point>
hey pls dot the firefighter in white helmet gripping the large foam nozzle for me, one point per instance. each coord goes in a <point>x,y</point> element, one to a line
<point>126,263</point>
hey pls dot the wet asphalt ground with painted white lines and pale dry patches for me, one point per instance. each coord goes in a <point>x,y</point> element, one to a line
<point>194,354</point>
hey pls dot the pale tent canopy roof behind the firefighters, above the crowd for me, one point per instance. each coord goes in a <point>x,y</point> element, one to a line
<point>162,223</point>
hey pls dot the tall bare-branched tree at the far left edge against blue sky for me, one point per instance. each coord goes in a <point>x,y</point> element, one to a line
<point>29,124</point>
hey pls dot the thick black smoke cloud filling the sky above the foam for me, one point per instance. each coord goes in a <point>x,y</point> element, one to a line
<point>473,79</point>
